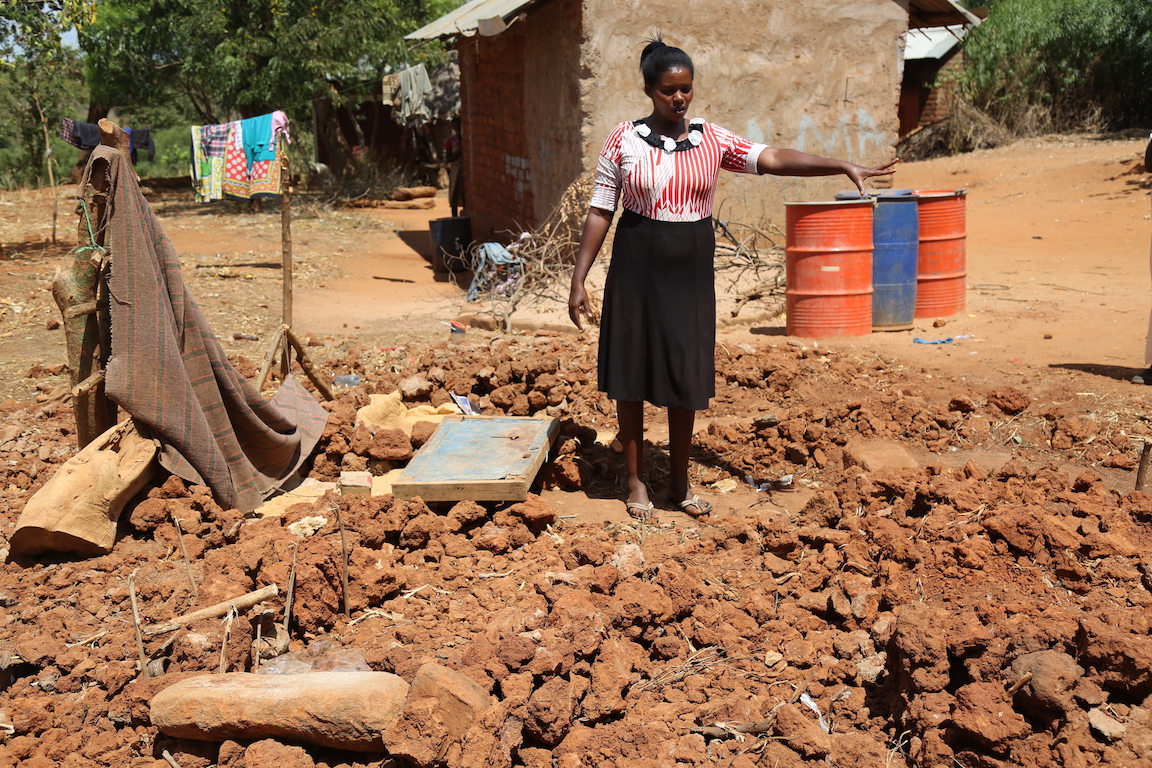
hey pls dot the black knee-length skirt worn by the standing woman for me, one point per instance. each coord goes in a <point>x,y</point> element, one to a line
<point>658,325</point>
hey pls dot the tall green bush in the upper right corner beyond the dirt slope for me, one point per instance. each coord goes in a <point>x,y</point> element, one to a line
<point>1057,65</point>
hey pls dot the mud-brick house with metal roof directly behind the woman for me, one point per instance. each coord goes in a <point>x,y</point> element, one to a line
<point>543,82</point>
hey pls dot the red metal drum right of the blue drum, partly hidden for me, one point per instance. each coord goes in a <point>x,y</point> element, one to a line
<point>942,273</point>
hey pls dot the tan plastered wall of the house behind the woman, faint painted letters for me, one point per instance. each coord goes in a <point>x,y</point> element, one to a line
<point>817,77</point>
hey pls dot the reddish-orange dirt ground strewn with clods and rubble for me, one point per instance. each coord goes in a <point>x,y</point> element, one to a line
<point>958,576</point>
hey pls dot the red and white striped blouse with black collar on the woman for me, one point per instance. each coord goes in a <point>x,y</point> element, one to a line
<point>671,181</point>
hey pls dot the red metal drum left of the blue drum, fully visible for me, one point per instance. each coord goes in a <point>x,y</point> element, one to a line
<point>829,269</point>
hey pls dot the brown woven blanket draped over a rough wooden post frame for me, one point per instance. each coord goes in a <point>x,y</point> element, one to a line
<point>168,368</point>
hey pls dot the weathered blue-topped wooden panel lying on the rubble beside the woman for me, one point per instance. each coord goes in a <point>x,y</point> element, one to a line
<point>479,459</point>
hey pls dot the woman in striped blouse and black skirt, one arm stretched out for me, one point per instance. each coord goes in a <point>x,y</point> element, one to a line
<point>658,326</point>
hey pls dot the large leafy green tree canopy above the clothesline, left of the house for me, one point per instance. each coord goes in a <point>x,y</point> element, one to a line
<point>246,57</point>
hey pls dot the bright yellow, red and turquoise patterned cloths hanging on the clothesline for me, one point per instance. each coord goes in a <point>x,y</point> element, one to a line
<point>239,159</point>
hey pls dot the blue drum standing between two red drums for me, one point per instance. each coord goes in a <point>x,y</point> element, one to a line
<point>896,252</point>
